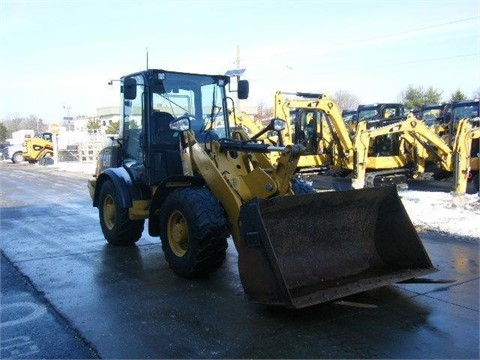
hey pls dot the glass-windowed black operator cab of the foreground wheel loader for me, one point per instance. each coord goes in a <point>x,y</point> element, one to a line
<point>152,100</point>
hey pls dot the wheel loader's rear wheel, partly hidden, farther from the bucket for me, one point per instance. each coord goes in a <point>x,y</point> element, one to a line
<point>116,226</point>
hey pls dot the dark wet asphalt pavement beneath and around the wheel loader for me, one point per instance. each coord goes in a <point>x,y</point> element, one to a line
<point>96,300</point>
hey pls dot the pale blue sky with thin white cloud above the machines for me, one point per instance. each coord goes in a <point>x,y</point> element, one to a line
<point>63,53</point>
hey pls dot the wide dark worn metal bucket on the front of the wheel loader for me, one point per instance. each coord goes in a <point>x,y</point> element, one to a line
<point>306,249</point>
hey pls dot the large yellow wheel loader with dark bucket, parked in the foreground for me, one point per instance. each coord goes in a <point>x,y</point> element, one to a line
<point>179,164</point>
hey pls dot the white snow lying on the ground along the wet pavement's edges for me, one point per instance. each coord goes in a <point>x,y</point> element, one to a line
<point>428,210</point>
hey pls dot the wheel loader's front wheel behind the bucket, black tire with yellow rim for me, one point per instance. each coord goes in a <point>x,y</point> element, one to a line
<point>193,231</point>
